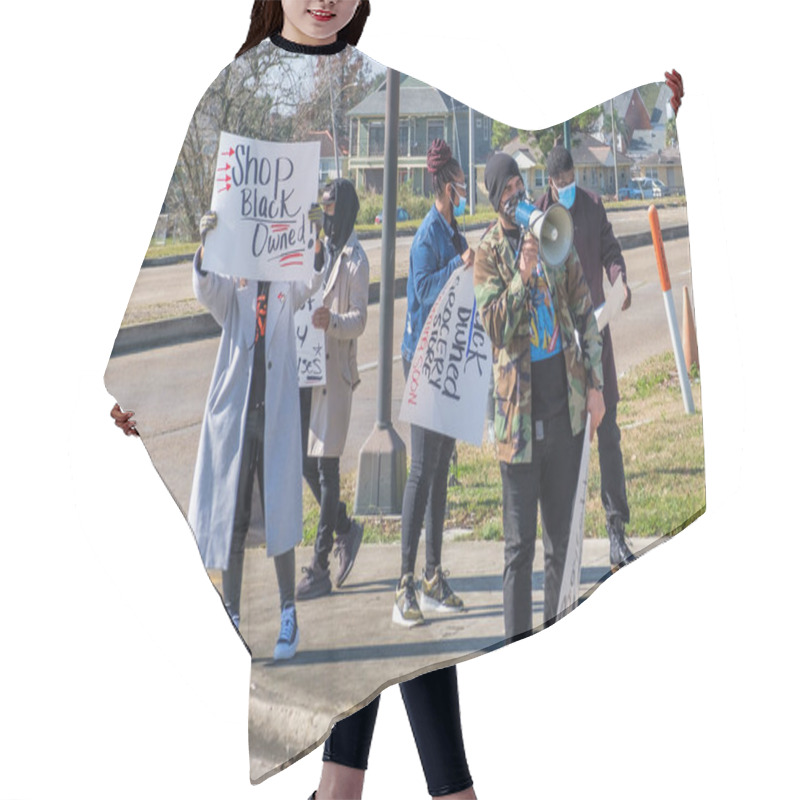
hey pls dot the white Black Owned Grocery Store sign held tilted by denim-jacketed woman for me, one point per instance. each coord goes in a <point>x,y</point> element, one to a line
<point>448,382</point>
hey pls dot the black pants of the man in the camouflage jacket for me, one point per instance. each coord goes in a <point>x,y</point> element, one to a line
<point>549,480</point>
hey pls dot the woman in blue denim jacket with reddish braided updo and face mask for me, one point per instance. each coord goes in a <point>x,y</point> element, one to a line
<point>438,249</point>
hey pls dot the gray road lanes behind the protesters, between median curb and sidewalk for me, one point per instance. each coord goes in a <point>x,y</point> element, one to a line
<point>167,386</point>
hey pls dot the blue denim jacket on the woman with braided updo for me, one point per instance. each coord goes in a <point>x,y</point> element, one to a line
<point>433,260</point>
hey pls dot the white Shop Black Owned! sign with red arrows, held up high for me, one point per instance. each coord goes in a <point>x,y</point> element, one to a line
<point>262,194</point>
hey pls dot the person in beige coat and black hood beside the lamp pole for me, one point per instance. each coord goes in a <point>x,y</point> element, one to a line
<point>325,410</point>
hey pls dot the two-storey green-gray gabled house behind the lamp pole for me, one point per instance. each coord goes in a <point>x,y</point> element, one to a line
<point>426,113</point>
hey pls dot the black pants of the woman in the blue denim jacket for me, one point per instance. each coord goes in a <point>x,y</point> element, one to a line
<point>425,495</point>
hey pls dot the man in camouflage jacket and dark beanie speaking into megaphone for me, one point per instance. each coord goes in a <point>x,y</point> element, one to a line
<point>545,382</point>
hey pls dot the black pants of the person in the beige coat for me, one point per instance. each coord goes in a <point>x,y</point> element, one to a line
<point>322,477</point>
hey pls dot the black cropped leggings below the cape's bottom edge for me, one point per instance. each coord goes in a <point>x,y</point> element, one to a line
<point>432,706</point>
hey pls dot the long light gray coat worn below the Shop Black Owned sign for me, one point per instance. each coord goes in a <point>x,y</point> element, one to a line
<point>213,500</point>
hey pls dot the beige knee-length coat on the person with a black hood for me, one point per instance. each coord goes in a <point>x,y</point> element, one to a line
<point>346,295</point>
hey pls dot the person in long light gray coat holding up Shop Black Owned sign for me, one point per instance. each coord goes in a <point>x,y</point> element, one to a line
<point>251,427</point>
